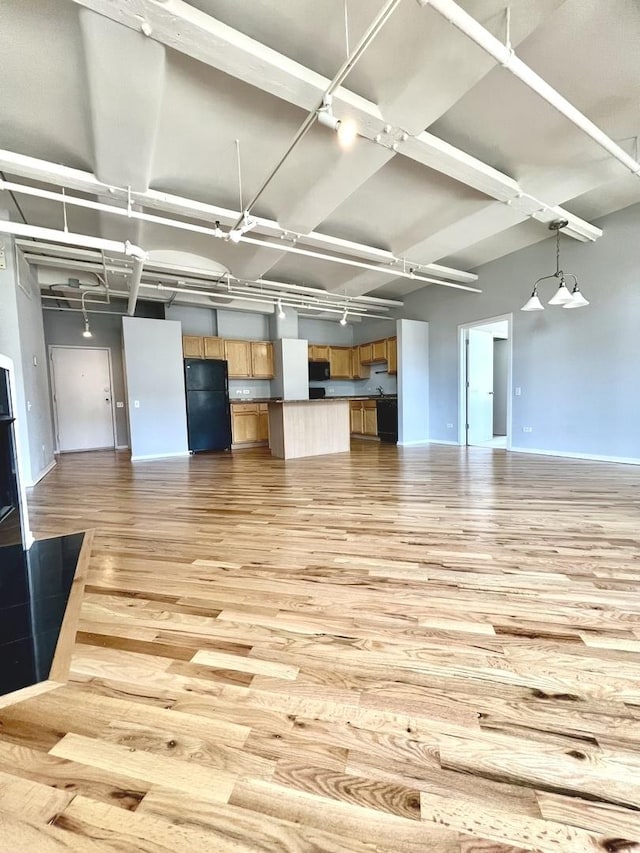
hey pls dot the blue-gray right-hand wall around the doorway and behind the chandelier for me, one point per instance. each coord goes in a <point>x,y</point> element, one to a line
<point>577,370</point>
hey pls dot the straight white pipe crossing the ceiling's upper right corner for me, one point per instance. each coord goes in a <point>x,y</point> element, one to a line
<point>507,58</point>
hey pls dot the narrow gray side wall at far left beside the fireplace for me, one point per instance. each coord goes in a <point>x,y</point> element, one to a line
<point>22,340</point>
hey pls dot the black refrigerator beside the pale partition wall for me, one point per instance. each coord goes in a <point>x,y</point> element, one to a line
<point>208,410</point>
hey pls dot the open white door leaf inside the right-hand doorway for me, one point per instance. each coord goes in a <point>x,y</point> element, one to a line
<point>479,386</point>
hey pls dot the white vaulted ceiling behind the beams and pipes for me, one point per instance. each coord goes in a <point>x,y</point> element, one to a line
<point>98,95</point>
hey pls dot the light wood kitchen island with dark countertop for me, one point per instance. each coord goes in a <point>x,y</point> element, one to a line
<point>308,427</point>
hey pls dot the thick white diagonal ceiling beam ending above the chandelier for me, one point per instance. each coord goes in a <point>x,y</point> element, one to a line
<point>202,37</point>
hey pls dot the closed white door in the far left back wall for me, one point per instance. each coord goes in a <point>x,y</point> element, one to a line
<point>82,398</point>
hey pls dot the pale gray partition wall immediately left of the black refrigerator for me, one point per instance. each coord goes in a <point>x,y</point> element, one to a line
<point>155,377</point>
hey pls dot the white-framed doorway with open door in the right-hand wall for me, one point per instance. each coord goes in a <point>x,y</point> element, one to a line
<point>485,383</point>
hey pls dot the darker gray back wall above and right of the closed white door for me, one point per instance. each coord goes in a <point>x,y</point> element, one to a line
<point>64,328</point>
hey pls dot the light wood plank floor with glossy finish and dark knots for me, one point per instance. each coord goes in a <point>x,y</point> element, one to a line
<point>432,650</point>
